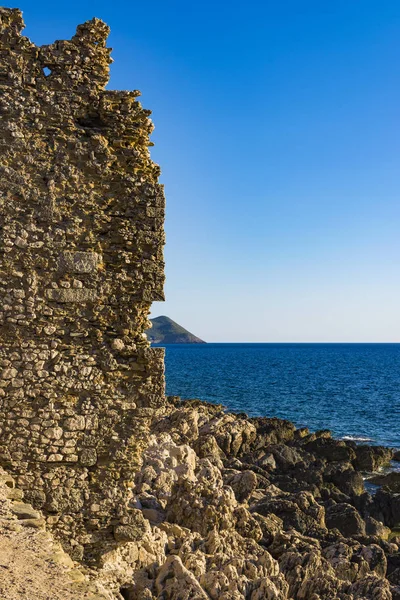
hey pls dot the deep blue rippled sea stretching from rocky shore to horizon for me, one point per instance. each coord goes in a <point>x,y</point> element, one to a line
<point>352,389</point>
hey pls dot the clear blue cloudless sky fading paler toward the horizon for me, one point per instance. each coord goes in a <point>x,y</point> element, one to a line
<point>277,130</point>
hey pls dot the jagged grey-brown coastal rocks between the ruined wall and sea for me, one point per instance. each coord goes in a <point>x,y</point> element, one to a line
<point>229,507</point>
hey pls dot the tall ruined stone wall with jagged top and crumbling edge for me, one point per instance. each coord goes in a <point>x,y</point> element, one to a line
<point>81,239</point>
